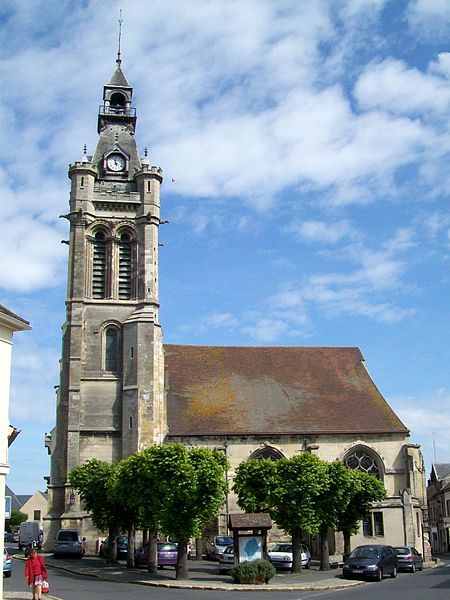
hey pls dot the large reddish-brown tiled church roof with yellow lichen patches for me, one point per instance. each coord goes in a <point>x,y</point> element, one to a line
<point>220,390</point>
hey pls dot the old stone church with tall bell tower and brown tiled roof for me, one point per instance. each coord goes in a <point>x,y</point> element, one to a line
<point>122,389</point>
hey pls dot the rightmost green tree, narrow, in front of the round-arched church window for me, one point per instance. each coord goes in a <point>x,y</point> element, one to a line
<point>366,490</point>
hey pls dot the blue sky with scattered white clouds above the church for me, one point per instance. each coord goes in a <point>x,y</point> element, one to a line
<point>306,152</point>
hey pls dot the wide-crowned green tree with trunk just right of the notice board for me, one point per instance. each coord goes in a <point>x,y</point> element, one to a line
<point>290,494</point>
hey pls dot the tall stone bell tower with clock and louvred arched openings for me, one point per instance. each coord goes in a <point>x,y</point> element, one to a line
<point>110,401</point>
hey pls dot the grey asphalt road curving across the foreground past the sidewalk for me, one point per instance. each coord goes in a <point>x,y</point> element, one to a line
<point>432,584</point>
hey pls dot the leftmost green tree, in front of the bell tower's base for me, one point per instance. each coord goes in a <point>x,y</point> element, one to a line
<point>93,480</point>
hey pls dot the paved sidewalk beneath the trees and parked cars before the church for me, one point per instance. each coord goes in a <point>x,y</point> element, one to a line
<point>203,575</point>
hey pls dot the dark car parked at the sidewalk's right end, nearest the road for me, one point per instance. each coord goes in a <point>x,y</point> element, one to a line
<point>372,561</point>
